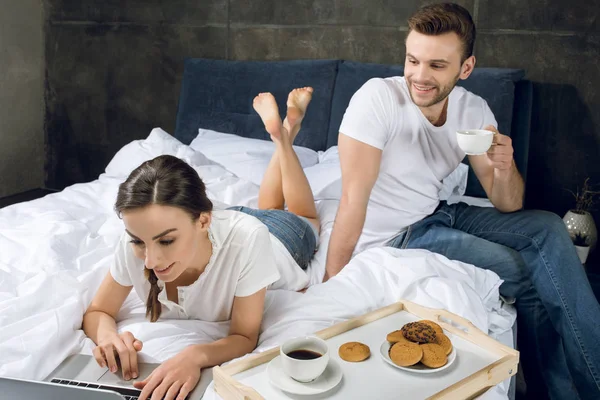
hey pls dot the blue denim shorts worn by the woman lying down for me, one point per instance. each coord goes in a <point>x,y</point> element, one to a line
<point>297,234</point>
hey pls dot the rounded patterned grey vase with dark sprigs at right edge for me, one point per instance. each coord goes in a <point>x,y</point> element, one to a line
<point>578,219</point>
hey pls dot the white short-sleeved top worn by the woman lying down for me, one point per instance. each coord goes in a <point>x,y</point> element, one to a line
<point>243,262</point>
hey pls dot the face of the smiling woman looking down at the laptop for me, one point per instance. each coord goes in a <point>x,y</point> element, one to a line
<point>166,239</point>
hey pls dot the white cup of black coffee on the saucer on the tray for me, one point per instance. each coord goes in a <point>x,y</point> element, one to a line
<point>304,369</point>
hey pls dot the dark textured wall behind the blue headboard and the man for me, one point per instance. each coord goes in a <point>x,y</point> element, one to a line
<point>114,70</point>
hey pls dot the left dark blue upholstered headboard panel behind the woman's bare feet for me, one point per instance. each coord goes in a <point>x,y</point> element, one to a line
<point>217,95</point>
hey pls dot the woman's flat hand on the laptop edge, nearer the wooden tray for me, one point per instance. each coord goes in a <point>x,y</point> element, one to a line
<point>173,379</point>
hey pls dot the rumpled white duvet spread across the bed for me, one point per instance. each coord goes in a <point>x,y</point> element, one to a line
<point>55,251</point>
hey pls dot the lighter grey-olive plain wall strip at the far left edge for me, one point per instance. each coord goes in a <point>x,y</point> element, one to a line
<point>21,96</point>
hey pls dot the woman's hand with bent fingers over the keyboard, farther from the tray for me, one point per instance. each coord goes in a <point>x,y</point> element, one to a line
<point>123,345</point>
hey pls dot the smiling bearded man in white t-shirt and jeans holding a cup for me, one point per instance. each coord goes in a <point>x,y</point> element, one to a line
<point>396,144</point>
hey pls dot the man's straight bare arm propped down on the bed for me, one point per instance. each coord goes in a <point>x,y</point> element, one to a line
<point>360,167</point>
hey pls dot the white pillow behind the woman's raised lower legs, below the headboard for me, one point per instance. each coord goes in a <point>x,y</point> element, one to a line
<point>246,157</point>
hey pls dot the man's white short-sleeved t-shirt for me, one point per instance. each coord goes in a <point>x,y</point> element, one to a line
<point>416,155</point>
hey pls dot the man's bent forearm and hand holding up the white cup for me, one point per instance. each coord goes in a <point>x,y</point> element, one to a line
<point>498,174</point>
